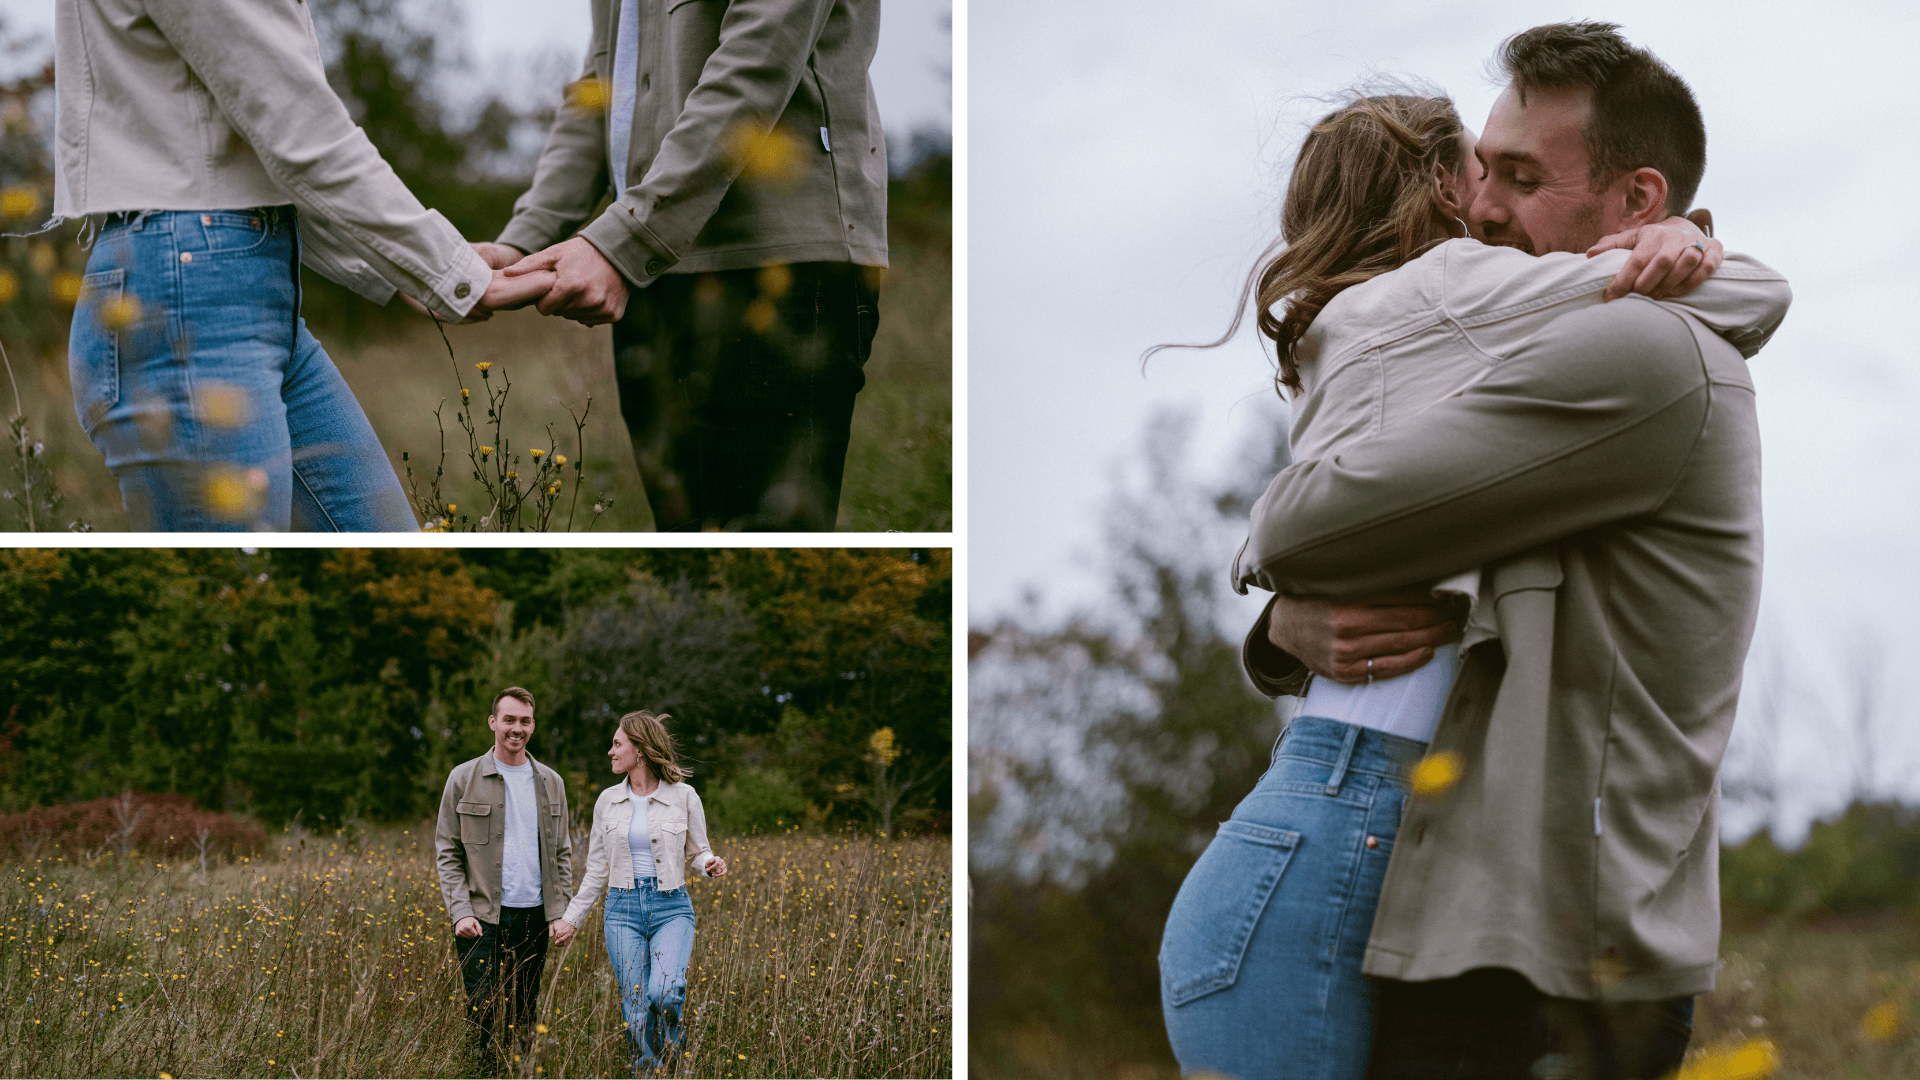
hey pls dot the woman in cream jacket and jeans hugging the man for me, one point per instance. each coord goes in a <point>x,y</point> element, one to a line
<point>1262,952</point>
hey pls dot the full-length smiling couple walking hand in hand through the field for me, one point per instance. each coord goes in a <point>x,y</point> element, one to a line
<point>506,870</point>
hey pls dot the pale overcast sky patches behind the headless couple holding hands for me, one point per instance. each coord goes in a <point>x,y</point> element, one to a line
<point>911,70</point>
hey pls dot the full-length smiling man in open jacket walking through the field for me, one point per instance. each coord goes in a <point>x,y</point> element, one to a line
<point>506,871</point>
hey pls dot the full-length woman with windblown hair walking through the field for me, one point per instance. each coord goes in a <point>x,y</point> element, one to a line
<point>644,829</point>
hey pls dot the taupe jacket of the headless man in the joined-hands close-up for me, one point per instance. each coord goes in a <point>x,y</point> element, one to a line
<point>756,141</point>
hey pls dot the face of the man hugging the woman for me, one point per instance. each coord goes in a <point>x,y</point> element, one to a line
<point>1535,195</point>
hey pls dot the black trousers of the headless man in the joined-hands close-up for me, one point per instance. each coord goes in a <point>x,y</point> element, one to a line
<point>738,393</point>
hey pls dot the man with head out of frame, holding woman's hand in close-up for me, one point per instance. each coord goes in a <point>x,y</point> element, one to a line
<point>742,255</point>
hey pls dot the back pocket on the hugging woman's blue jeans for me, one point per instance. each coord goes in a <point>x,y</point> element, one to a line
<point>1218,908</point>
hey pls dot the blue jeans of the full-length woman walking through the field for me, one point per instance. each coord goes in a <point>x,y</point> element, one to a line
<point>650,937</point>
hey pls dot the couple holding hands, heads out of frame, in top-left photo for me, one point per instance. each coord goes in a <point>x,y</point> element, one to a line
<point>738,260</point>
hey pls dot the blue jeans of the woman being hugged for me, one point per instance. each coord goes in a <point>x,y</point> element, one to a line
<point>1260,962</point>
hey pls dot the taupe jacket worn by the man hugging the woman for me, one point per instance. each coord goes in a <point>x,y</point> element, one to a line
<point>1606,478</point>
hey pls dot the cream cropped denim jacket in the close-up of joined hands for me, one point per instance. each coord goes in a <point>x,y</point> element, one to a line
<point>224,105</point>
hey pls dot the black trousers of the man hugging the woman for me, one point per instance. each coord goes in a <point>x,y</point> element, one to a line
<point>1493,1025</point>
